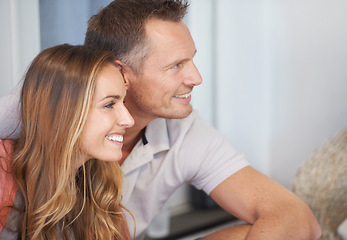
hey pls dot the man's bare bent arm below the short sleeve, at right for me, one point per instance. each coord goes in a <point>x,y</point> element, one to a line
<point>272,211</point>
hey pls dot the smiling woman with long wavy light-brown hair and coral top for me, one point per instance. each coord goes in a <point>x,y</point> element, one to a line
<point>66,178</point>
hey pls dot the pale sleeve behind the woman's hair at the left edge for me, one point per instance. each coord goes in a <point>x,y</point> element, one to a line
<point>9,115</point>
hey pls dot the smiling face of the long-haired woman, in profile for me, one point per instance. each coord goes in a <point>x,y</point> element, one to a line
<point>102,136</point>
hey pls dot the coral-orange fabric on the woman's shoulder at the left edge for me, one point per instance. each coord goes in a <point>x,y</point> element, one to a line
<point>8,186</point>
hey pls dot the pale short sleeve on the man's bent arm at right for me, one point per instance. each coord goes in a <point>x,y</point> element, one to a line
<point>207,157</point>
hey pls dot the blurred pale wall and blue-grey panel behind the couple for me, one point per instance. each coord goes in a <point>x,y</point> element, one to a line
<point>274,71</point>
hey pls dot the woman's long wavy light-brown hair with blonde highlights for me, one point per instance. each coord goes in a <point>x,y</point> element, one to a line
<point>58,202</point>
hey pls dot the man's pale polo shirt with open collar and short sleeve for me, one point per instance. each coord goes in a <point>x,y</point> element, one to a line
<point>173,152</point>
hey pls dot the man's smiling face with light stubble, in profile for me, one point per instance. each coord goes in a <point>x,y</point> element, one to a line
<point>163,88</point>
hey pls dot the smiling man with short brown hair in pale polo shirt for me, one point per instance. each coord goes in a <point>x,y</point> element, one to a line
<point>169,143</point>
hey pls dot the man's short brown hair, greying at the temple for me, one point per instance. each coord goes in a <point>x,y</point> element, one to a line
<point>119,27</point>
